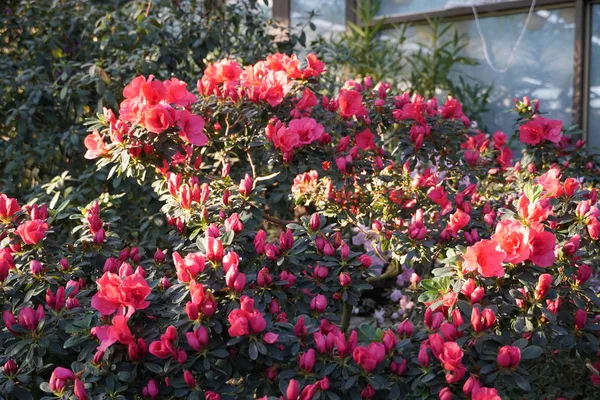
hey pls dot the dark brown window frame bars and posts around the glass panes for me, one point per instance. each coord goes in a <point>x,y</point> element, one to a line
<point>581,50</point>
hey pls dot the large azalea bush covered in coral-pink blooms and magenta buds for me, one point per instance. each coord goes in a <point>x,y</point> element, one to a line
<point>285,203</point>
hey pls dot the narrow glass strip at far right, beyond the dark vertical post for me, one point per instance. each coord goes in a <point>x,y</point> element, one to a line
<point>593,128</point>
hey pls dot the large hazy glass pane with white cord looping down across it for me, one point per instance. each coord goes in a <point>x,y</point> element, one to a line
<point>541,68</point>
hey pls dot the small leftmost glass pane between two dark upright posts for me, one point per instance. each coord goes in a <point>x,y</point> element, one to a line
<point>330,16</point>
